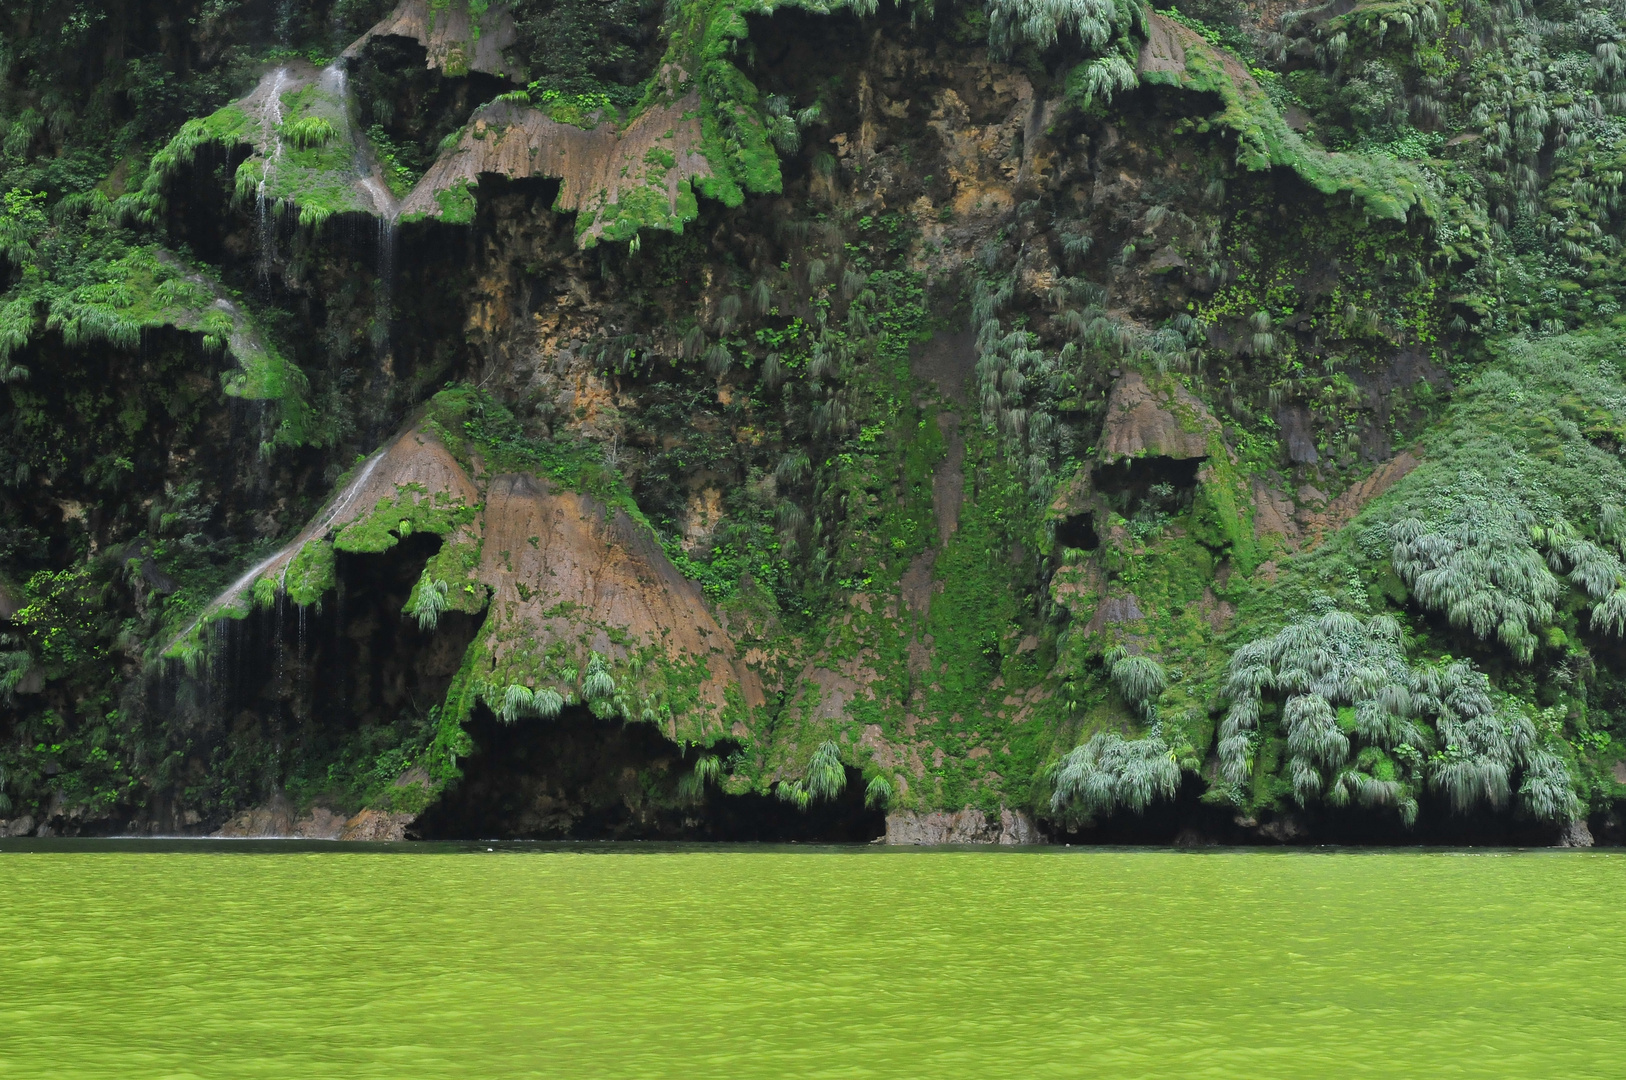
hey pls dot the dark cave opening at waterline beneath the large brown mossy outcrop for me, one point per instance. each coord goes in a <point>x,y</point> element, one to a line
<point>588,778</point>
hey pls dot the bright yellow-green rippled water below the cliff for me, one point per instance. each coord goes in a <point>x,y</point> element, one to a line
<point>811,964</point>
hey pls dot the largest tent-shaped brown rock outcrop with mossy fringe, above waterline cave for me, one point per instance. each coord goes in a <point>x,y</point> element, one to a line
<point>560,577</point>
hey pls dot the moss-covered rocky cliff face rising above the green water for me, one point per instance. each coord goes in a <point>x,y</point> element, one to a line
<point>967,425</point>
